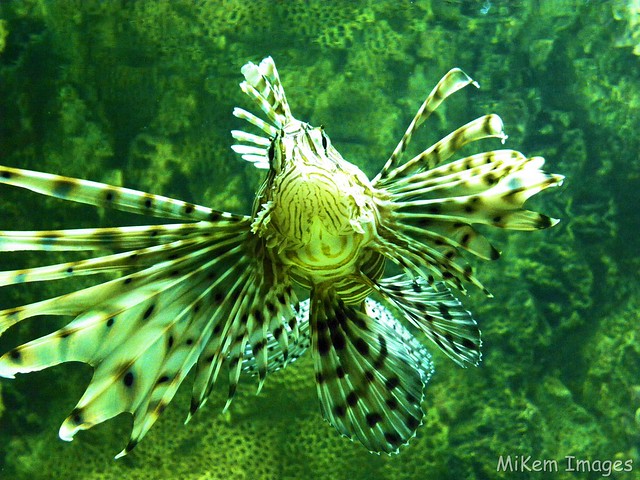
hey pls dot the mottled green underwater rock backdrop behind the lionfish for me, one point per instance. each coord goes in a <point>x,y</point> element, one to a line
<point>140,94</point>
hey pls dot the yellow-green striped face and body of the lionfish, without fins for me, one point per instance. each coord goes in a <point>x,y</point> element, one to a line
<point>316,209</point>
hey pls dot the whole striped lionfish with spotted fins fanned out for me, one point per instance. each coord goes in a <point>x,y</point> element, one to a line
<point>217,288</point>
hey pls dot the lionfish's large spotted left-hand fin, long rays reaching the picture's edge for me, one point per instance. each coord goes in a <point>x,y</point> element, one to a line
<point>186,290</point>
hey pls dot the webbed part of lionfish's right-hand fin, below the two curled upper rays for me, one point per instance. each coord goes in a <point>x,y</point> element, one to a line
<point>429,216</point>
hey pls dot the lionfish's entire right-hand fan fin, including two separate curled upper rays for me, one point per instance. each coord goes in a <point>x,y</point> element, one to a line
<point>429,208</point>
